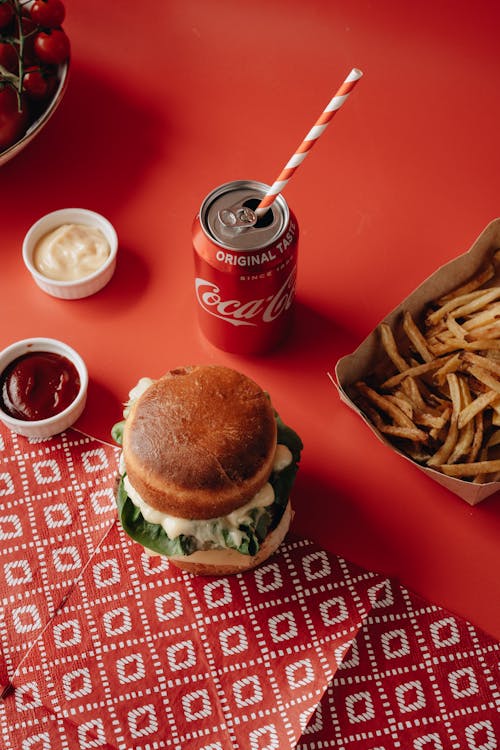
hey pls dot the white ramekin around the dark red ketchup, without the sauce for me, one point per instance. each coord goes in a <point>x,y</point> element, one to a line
<point>44,428</point>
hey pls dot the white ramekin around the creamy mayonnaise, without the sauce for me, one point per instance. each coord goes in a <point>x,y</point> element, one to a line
<point>77,288</point>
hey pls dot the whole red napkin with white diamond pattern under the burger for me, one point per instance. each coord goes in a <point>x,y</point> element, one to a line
<point>103,646</point>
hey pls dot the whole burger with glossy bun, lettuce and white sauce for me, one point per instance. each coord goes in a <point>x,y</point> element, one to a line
<point>206,470</point>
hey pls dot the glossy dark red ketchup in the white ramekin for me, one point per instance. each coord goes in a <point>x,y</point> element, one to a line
<point>38,385</point>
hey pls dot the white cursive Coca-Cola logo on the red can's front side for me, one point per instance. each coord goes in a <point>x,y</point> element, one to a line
<point>248,313</point>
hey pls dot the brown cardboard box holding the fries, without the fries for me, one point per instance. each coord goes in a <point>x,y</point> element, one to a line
<point>364,359</point>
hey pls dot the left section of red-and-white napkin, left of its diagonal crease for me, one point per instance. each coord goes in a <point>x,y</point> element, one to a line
<point>56,504</point>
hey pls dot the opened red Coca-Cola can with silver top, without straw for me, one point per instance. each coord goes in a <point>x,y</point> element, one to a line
<point>245,268</point>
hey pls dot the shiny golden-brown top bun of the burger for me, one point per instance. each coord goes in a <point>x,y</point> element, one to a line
<point>200,442</point>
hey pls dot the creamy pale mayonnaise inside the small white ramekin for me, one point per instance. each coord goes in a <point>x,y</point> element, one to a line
<point>71,252</point>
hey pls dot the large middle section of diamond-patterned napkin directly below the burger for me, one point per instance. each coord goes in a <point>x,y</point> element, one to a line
<point>155,653</point>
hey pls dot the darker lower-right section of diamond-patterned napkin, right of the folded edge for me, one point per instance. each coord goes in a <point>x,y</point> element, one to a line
<point>416,677</point>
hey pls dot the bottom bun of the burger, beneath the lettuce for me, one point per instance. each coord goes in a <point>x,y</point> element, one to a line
<point>214,562</point>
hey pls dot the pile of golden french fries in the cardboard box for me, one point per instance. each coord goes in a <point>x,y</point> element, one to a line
<point>437,395</point>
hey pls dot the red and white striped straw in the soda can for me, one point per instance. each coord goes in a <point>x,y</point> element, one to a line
<point>318,129</point>
